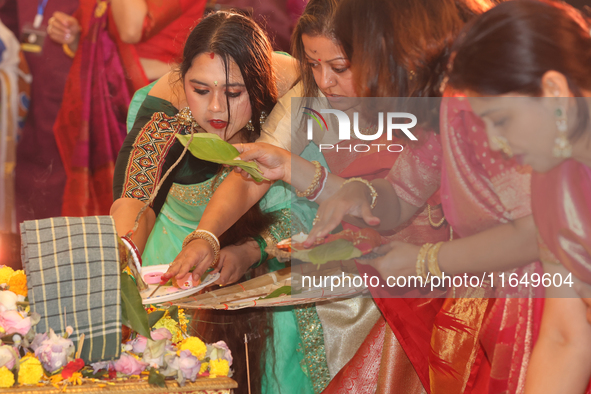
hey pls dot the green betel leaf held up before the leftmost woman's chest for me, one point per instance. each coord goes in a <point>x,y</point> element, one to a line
<point>210,147</point>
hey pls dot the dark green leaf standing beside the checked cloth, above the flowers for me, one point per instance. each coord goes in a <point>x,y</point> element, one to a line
<point>133,314</point>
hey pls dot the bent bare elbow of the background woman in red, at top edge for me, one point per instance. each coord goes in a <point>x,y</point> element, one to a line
<point>129,17</point>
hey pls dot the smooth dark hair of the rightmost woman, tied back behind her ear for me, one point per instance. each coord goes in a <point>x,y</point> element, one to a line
<point>510,48</point>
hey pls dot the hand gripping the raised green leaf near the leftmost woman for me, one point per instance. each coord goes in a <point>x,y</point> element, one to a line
<point>274,162</point>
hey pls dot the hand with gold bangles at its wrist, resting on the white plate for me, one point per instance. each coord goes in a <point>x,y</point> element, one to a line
<point>198,253</point>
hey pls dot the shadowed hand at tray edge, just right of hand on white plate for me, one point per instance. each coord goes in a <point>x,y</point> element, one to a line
<point>235,260</point>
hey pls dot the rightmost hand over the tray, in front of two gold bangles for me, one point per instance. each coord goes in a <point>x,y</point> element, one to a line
<point>399,259</point>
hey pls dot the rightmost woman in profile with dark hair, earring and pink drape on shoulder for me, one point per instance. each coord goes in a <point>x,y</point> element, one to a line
<point>550,132</point>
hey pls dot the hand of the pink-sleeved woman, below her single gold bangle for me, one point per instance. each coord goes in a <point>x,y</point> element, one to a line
<point>351,199</point>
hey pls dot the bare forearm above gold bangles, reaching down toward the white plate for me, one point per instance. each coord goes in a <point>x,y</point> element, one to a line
<point>230,201</point>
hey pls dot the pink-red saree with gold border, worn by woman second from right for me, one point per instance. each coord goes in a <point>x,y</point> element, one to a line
<point>491,345</point>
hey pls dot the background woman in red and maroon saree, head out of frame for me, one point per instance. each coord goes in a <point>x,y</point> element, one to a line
<point>90,126</point>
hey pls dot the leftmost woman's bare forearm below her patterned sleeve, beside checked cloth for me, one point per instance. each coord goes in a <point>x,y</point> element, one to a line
<point>125,211</point>
